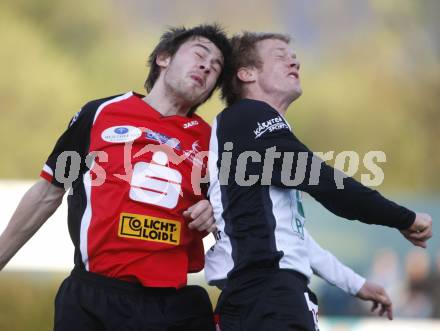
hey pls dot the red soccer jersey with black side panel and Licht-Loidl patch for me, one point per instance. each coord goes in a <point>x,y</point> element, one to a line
<point>133,173</point>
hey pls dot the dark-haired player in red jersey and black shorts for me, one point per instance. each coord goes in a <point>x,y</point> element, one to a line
<point>136,214</point>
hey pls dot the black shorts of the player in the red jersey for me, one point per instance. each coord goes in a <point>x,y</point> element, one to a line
<point>91,302</point>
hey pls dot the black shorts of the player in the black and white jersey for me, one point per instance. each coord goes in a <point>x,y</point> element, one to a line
<point>267,300</point>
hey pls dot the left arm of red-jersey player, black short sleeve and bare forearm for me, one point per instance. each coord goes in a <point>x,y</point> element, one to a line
<point>43,198</point>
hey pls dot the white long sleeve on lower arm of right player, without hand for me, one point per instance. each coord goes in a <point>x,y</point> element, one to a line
<point>328,267</point>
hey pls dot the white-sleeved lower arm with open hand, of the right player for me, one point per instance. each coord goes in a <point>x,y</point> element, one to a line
<point>326,266</point>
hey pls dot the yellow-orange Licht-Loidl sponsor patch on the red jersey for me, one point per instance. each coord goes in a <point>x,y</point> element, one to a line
<point>149,228</point>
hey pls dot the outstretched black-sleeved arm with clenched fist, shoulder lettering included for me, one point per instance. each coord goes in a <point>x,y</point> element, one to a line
<point>352,201</point>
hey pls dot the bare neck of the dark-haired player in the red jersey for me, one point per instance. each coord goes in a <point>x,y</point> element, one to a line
<point>167,105</point>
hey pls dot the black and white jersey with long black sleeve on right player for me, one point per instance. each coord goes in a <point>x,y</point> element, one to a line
<point>261,223</point>
